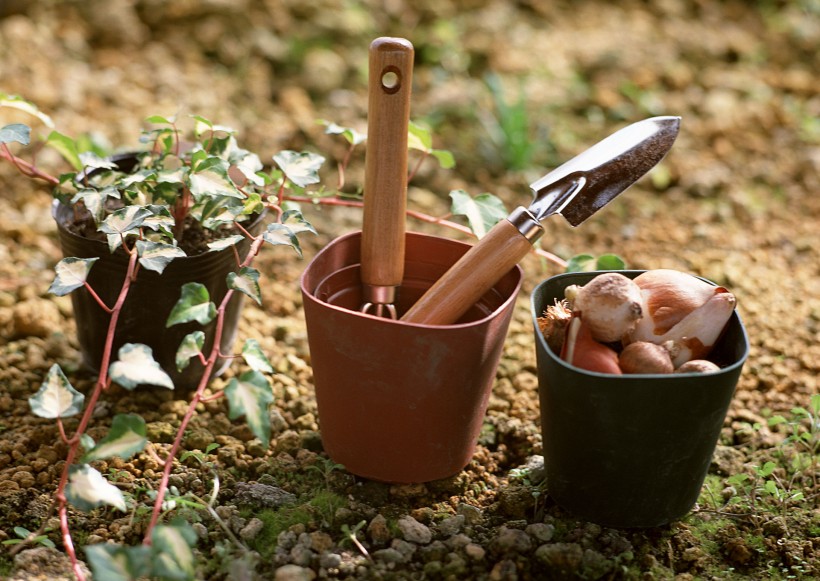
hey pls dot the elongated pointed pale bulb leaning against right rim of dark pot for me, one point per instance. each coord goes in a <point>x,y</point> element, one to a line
<point>695,335</point>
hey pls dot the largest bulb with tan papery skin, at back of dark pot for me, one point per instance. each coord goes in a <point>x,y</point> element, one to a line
<point>668,296</point>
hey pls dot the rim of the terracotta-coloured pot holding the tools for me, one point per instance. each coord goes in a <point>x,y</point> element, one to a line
<point>310,293</point>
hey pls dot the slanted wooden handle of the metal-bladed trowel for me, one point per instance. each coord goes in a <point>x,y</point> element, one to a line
<point>473,275</point>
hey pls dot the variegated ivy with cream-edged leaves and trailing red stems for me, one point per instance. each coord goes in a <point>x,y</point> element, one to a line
<point>206,178</point>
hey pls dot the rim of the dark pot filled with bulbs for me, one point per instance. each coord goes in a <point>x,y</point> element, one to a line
<point>627,377</point>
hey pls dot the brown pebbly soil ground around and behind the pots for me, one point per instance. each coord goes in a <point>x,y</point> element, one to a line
<point>736,202</point>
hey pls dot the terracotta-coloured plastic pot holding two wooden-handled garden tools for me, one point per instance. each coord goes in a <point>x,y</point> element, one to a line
<point>400,402</point>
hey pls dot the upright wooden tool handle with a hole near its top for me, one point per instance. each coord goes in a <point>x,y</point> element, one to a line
<point>385,186</point>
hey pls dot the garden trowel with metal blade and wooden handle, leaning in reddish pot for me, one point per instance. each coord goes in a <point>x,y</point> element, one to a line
<point>576,190</point>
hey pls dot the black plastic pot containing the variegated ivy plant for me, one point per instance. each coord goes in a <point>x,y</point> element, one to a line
<point>149,301</point>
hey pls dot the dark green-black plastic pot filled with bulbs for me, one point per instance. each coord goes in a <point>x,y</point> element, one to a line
<point>630,450</point>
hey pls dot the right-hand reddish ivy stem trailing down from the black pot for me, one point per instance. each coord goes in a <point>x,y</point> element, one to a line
<point>198,396</point>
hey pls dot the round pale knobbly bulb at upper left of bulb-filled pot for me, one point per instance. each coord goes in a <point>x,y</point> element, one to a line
<point>610,306</point>
